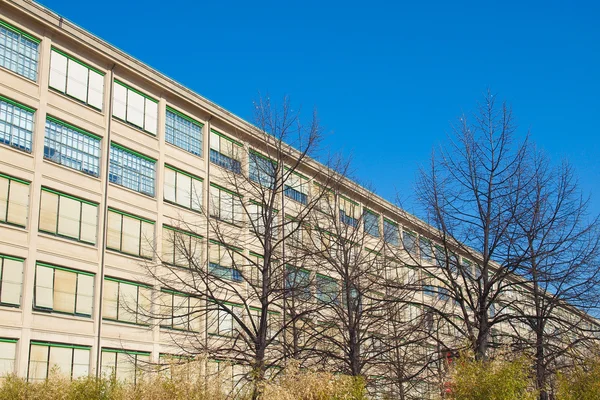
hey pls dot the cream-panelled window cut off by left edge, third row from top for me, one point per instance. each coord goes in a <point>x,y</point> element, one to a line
<point>14,200</point>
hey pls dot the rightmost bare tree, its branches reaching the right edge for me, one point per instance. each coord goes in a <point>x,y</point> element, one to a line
<point>558,285</point>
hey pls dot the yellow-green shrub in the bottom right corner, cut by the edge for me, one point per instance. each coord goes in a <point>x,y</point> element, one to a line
<point>580,383</point>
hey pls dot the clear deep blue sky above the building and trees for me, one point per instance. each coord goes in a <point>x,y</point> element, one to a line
<point>387,78</point>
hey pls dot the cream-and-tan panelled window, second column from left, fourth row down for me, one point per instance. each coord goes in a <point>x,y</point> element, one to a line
<point>63,290</point>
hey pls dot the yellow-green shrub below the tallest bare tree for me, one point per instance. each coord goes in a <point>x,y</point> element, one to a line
<point>498,379</point>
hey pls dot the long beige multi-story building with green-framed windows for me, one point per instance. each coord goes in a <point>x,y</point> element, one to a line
<point>97,153</point>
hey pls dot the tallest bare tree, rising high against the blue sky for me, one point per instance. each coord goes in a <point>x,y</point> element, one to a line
<point>470,194</point>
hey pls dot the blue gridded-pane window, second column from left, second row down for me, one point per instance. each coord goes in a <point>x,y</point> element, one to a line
<point>72,147</point>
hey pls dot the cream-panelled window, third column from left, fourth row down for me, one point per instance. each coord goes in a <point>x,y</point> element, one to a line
<point>126,301</point>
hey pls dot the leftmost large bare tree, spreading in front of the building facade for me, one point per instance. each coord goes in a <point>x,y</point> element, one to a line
<point>232,262</point>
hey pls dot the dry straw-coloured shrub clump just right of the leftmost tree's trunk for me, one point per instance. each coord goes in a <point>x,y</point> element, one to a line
<point>294,384</point>
